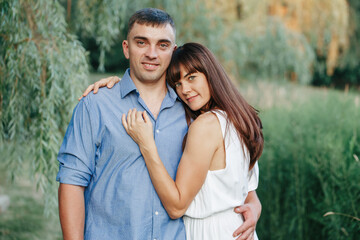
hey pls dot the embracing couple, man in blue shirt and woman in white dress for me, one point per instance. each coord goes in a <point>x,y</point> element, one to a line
<point>169,152</point>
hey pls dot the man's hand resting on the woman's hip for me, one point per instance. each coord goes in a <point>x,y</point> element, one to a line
<point>251,211</point>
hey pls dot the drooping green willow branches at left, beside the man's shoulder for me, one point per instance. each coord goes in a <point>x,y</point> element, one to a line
<point>41,69</point>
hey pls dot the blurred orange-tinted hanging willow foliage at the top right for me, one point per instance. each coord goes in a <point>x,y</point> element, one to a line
<point>325,24</point>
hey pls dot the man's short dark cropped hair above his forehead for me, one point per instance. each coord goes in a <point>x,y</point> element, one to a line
<point>150,16</point>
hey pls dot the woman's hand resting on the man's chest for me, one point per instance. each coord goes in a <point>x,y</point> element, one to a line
<point>138,125</point>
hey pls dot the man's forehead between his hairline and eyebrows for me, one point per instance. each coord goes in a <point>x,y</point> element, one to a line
<point>163,31</point>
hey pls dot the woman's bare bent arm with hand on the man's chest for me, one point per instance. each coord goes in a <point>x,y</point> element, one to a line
<point>201,145</point>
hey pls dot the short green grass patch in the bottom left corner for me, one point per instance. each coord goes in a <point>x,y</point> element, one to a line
<point>25,219</point>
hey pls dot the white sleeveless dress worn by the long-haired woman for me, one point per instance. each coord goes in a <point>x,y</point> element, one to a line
<point>211,214</point>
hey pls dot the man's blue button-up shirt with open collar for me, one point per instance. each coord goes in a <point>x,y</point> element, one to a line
<point>97,153</point>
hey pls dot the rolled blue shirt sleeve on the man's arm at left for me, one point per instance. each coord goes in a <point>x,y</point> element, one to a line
<point>77,152</point>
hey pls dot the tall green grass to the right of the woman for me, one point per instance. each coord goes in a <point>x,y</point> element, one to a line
<point>310,167</point>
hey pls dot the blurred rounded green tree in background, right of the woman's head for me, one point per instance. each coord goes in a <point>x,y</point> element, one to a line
<point>276,53</point>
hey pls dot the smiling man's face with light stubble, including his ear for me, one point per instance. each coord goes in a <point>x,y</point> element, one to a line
<point>149,50</point>
